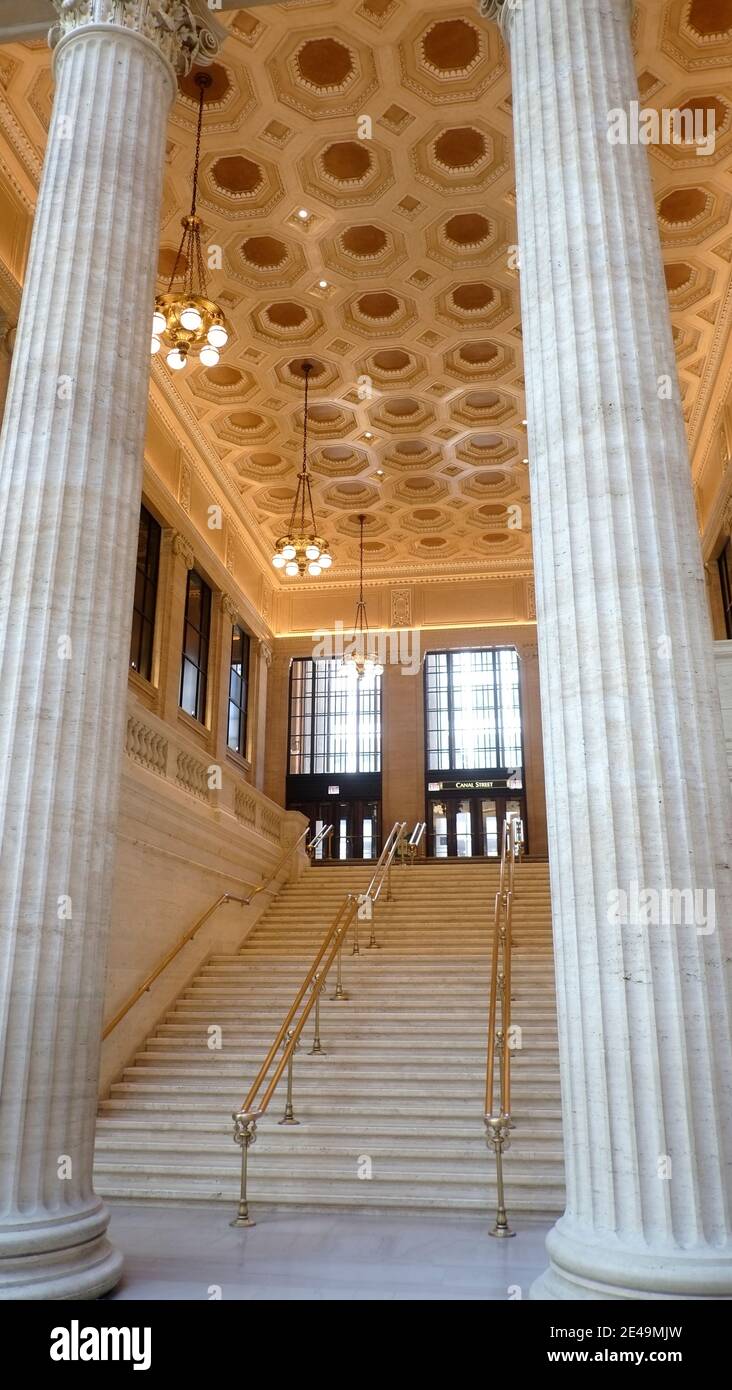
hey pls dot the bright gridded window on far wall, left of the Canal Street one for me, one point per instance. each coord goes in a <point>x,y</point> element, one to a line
<point>335,719</point>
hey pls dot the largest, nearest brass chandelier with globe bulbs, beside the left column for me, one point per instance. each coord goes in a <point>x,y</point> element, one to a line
<point>187,320</point>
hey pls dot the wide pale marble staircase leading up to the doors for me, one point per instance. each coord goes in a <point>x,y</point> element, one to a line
<point>392,1115</point>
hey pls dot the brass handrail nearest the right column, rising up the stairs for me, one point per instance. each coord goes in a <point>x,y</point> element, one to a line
<point>498,1122</point>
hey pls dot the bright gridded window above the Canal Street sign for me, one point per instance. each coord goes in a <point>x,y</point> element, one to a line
<point>473,710</point>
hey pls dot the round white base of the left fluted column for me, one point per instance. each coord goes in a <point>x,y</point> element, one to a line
<point>60,1260</point>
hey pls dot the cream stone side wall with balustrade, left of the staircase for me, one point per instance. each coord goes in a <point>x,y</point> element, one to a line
<point>180,846</point>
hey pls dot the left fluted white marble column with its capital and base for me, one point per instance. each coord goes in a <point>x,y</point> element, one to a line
<point>70,491</point>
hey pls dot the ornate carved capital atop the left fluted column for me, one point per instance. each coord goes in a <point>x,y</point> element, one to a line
<point>184,31</point>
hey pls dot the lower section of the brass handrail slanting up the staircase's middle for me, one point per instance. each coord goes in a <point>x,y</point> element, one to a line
<point>255,1106</point>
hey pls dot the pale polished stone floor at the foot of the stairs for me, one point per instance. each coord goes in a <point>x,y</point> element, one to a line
<point>190,1253</point>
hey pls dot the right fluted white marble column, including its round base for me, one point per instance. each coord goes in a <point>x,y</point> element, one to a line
<point>635,776</point>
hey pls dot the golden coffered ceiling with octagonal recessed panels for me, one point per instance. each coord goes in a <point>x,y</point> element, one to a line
<point>390,124</point>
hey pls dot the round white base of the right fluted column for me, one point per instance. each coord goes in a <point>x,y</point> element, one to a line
<point>601,1268</point>
